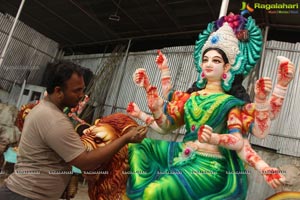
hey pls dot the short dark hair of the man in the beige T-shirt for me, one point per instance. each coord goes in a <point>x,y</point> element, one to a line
<point>59,72</point>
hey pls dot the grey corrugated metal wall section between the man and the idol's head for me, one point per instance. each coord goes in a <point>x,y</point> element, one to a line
<point>182,72</point>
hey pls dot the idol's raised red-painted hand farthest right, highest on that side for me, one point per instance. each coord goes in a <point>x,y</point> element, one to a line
<point>286,71</point>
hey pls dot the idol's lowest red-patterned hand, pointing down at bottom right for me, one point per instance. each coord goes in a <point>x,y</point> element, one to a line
<point>273,177</point>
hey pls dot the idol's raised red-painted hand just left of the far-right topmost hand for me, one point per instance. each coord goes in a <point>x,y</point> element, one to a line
<point>263,88</point>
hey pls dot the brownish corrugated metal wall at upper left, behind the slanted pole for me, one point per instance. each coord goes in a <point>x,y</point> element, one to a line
<point>27,54</point>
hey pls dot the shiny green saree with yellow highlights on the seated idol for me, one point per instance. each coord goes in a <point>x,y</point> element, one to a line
<point>171,170</point>
